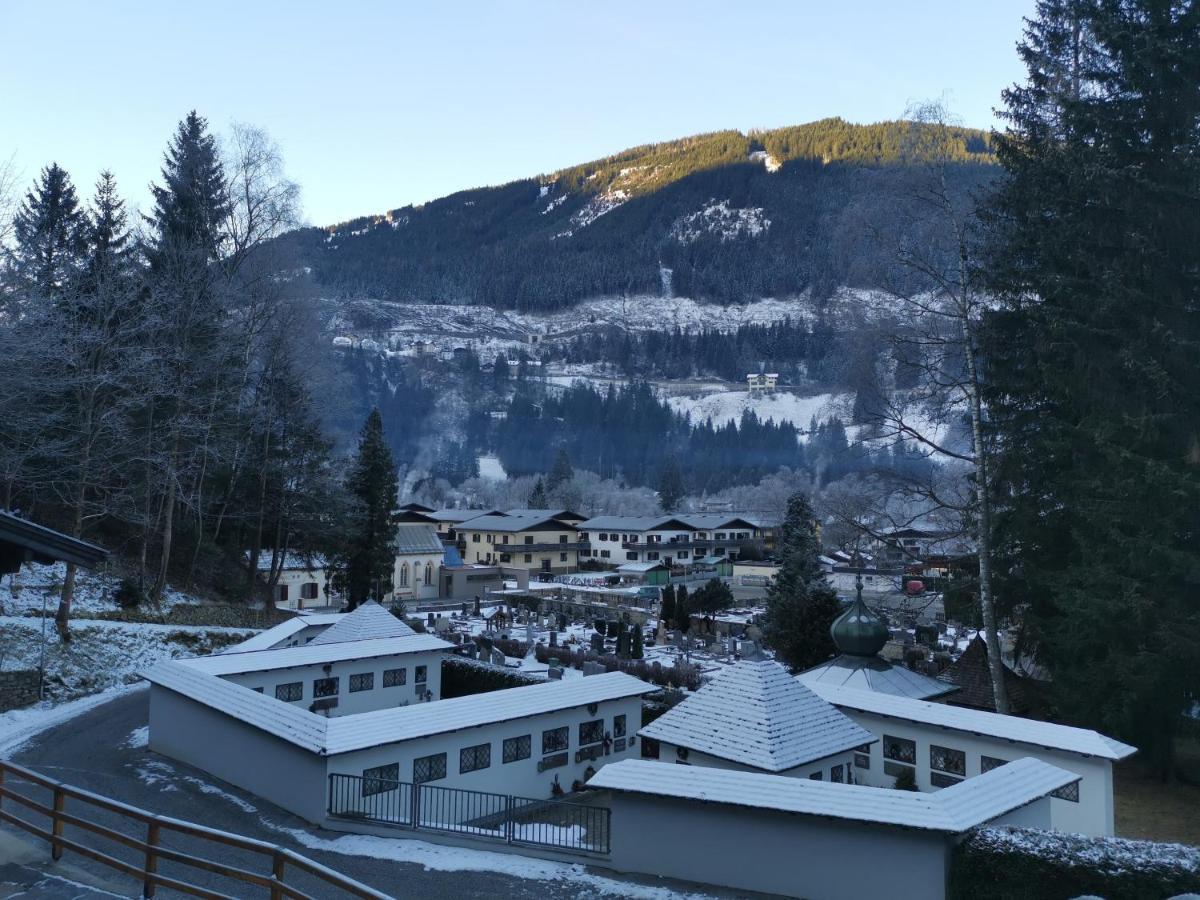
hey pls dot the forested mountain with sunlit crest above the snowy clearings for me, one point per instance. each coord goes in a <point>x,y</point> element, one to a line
<point>723,218</point>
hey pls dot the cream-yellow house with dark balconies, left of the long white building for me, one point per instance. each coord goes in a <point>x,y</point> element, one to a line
<point>537,543</point>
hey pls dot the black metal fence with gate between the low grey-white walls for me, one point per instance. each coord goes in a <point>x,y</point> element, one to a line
<point>514,820</point>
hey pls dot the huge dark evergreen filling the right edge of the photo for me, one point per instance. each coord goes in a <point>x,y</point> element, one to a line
<point>1093,361</point>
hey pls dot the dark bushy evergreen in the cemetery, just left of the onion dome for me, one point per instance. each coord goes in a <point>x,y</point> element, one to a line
<point>801,604</point>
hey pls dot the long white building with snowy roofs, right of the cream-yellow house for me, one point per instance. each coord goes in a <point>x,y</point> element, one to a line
<point>673,539</point>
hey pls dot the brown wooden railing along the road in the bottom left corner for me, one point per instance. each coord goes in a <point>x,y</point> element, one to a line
<point>151,849</point>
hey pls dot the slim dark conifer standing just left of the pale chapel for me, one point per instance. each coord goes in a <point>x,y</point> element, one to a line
<point>371,556</point>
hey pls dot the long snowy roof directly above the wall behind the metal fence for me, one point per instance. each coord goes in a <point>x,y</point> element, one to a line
<point>388,727</point>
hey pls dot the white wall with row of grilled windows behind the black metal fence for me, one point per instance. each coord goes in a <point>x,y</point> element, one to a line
<point>520,778</point>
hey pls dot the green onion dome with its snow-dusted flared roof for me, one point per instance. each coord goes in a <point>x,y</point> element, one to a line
<point>860,635</point>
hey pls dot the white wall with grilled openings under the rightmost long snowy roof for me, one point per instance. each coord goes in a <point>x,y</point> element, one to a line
<point>1093,815</point>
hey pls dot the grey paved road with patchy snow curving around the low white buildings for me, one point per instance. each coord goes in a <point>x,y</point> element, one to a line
<point>92,752</point>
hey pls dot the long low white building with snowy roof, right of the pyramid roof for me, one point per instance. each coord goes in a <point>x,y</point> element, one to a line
<point>944,746</point>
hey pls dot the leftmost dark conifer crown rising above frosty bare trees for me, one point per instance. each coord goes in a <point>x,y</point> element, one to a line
<point>51,233</point>
